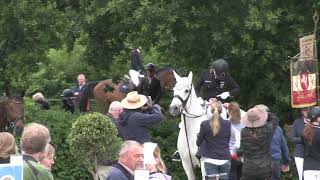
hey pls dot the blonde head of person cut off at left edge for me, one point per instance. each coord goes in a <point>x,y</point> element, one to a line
<point>7,147</point>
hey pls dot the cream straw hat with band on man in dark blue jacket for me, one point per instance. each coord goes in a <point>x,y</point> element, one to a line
<point>134,100</point>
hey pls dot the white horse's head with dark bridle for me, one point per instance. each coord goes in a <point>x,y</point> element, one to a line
<point>181,93</point>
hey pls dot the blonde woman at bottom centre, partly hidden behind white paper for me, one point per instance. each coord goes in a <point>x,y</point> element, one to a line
<point>157,169</point>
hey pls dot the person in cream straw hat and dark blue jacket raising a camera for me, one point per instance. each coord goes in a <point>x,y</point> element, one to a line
<point>138,114</point>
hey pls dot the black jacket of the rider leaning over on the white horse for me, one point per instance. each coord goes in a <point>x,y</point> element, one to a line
<point>213,86</point>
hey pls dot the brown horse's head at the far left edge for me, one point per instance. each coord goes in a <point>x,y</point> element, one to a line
<point>11,114</point>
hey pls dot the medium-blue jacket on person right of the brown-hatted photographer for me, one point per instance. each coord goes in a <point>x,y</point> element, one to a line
<point>279,147</point>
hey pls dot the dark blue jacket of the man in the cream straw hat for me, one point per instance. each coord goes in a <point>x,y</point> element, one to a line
<point>133,124</point>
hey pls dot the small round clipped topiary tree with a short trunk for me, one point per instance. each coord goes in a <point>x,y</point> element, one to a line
<point>94,137</point>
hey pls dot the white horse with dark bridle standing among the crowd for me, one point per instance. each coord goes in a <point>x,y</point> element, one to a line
<point>193,112</point>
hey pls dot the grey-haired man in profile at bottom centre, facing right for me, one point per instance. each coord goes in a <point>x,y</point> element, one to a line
<point>130,159</point>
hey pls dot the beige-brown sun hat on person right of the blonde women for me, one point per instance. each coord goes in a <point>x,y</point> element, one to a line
<point>255,117</point>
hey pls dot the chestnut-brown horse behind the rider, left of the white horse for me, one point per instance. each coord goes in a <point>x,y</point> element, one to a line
<point>107,91</point>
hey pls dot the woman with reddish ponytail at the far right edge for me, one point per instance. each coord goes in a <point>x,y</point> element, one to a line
<point>311,137</point>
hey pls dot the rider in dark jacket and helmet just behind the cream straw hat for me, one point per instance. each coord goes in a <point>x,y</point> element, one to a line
<point>150,86</point>
